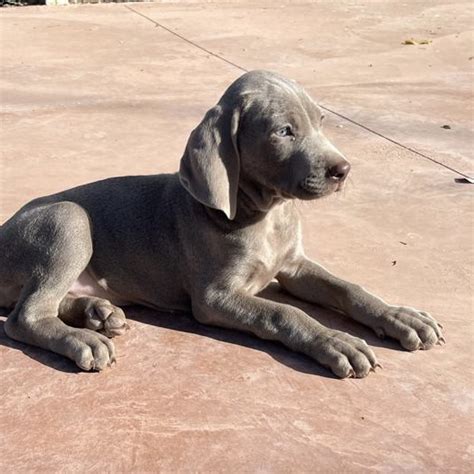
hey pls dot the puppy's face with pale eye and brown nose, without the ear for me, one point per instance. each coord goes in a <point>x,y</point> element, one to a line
<point>282,147</point>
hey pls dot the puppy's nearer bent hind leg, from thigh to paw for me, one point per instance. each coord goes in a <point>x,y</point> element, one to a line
<point>44,249</point>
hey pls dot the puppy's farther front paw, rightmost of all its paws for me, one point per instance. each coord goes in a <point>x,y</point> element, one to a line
<point>414,329</point>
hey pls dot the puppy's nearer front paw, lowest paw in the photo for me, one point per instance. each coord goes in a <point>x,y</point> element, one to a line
<point>345,355</point>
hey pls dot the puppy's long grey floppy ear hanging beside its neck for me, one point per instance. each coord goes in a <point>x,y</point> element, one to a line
<point>210,166</point>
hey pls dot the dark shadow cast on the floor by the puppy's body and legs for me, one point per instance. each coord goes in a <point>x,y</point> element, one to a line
<point>186,323</point>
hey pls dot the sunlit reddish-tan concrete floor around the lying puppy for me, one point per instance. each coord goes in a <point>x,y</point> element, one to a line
<point>95,91</point>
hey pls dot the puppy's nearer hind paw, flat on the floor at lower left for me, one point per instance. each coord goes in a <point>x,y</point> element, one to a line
<point>90,350</point>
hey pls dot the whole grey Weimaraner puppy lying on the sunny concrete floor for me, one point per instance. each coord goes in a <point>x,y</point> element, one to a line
<point>207,239</point>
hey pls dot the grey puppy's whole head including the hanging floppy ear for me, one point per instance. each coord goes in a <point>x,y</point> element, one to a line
<point>264,135</point>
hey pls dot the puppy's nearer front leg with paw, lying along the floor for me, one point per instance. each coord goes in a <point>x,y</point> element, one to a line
<point>345,355</point>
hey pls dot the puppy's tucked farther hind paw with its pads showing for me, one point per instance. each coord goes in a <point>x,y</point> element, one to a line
<point>104,317</point>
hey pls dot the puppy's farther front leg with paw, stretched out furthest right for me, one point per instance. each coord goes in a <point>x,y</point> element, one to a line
<point>309,281</point>
